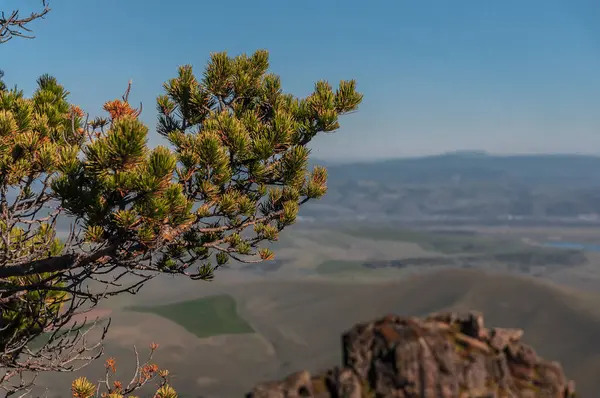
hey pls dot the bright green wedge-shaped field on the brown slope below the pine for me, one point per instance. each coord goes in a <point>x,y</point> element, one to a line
<point>203,317</point>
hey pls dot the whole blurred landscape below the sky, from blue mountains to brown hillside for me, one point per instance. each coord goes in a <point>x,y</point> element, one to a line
<point>263,321</point>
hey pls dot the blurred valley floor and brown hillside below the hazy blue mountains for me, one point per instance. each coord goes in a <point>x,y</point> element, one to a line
<point>296,313</point>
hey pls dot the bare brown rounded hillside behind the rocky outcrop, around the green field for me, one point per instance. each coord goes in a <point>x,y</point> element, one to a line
<point>297,325</point>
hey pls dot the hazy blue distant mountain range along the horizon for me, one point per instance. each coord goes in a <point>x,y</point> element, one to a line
<point>469,185</point>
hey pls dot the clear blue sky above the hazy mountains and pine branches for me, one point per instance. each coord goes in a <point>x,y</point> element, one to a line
<point>508,76</point>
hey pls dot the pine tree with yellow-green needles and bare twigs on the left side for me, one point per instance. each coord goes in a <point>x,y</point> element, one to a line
<point>231,176</point>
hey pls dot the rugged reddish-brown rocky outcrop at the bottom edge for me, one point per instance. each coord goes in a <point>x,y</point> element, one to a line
<point>442,356</point>
